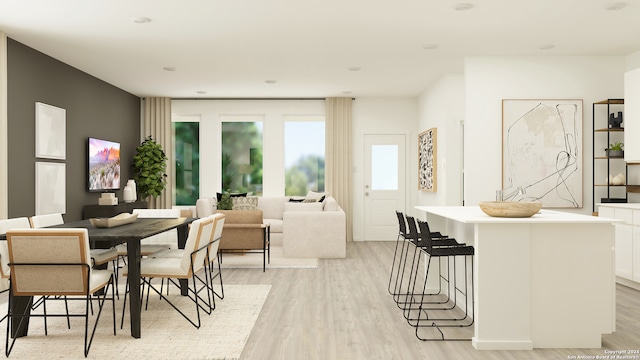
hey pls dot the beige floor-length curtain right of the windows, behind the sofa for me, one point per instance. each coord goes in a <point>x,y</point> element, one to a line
<point>339,163</point>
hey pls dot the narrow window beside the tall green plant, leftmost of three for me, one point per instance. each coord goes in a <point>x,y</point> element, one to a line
<point>187,157</point>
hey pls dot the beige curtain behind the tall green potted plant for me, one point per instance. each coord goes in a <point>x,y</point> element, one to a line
<point>156,121</point>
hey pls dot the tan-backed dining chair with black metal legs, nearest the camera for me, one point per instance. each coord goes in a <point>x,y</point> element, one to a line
<point>55,263</point>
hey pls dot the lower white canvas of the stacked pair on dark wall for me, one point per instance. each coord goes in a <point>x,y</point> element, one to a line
<point>50,188</point>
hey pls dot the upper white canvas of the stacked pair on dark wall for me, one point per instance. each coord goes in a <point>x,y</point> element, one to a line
<point>50,132</point>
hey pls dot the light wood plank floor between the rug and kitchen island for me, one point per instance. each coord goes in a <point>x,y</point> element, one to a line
<point>342,311</point>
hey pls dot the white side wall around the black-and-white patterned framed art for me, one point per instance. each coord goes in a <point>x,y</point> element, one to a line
<point>442,107</point>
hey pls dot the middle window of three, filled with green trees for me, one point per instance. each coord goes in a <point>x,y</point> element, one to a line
<point>242,154</point>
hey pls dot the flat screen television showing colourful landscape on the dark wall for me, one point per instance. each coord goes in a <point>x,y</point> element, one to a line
<point>104,165</point>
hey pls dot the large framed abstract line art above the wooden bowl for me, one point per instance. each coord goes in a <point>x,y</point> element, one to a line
<point>542,151</point>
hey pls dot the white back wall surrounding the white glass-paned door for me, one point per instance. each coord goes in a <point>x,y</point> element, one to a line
<point>383,116</point>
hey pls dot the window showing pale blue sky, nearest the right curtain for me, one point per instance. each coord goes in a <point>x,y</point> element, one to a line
<point>304,154</point>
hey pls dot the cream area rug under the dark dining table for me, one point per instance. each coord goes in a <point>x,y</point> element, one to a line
<point>165,334</point>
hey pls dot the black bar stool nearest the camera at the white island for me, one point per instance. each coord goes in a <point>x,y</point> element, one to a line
<point>424,319</point>
